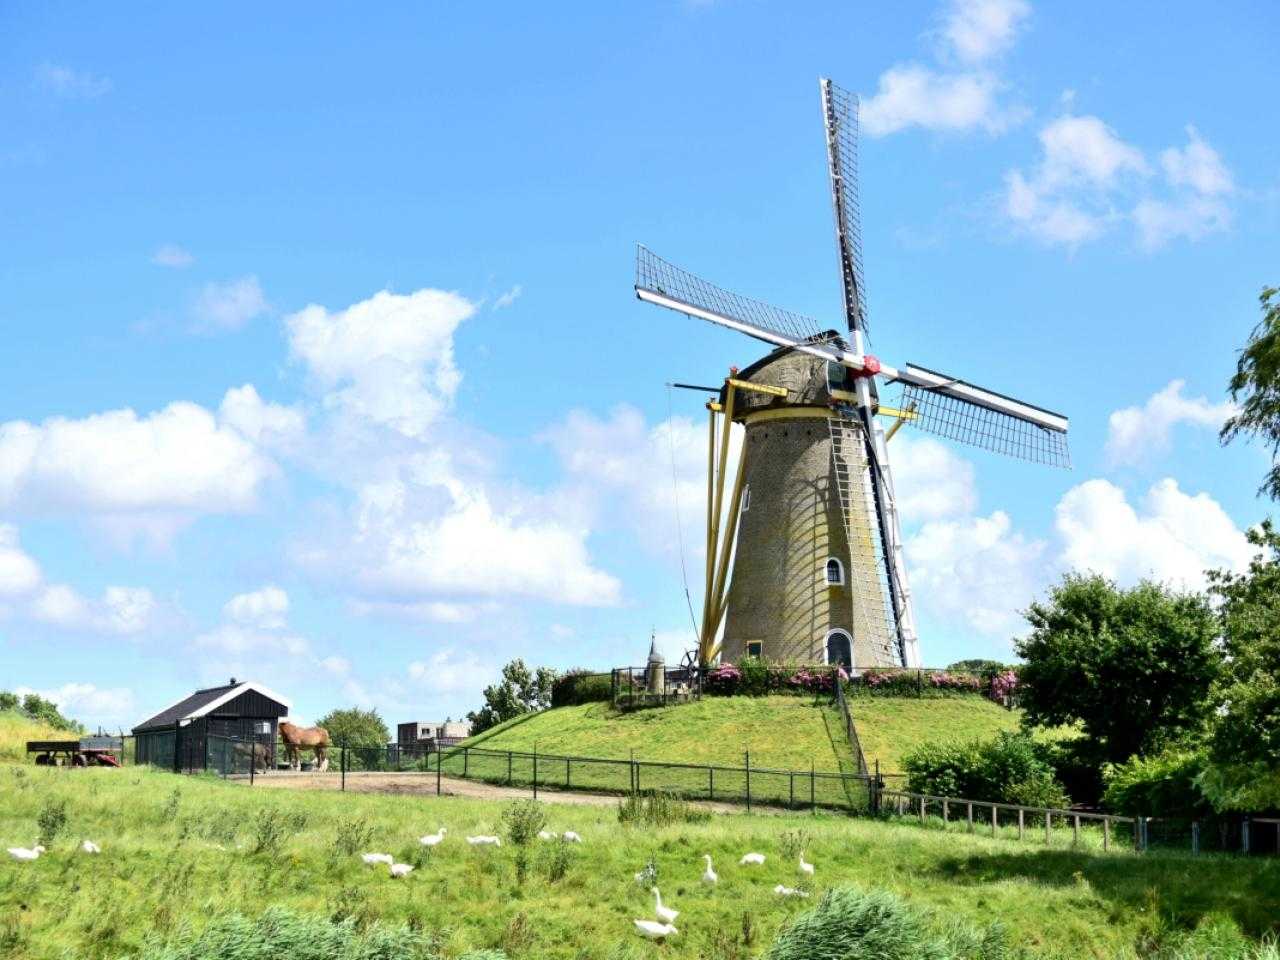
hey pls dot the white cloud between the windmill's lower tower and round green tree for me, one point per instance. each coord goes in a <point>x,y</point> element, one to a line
<point>977,572</point>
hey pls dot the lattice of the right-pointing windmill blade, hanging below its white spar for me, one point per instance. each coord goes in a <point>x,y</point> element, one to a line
<point>981,427</point>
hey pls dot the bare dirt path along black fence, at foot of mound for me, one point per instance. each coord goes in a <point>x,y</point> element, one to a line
<point>424,785</point>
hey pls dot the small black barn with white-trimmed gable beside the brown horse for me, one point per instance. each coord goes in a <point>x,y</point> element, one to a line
<point>196,733</point>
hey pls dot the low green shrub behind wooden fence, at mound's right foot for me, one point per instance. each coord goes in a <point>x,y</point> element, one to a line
<point>1009,769</point>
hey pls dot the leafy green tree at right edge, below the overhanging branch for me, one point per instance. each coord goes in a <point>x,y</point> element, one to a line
<point>1246,739</point>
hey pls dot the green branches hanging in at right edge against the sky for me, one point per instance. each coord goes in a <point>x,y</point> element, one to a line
<point>1256,388</point>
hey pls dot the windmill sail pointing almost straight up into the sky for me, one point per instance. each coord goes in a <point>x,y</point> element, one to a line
<point>840,115</point>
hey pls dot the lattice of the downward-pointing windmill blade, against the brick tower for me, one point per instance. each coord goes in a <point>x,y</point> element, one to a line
<point>875,632</point>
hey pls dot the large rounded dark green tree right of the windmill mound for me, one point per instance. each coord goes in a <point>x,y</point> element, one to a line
<point>1132,668</point>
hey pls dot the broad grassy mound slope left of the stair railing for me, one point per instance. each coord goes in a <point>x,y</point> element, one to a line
<point>784,733</point>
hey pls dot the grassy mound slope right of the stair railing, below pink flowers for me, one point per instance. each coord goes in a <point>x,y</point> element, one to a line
<point>889,728</point>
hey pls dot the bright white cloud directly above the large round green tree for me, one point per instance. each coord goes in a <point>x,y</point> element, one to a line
<point>1173,540</point>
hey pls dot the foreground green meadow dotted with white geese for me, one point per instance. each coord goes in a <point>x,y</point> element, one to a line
<point>184,851</point>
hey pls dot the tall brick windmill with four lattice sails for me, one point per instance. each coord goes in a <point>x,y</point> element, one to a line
<point>811,524</point>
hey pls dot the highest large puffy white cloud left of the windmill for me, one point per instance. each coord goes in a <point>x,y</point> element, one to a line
<point>388,359</point>
